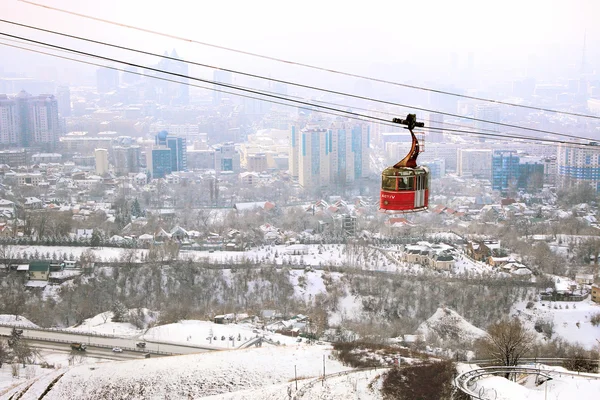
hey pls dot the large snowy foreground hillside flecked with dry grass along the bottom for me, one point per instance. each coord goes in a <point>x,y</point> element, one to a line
<point>193,376</point>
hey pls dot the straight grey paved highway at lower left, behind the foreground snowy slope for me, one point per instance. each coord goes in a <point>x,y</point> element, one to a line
<point>108,342</point>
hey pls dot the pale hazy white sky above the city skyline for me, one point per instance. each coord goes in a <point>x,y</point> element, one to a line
<point>515,36</point>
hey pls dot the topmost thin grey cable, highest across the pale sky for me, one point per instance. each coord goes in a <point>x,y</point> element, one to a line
<point>349,74</point>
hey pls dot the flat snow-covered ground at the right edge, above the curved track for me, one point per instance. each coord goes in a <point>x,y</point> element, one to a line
<point>571,319</point>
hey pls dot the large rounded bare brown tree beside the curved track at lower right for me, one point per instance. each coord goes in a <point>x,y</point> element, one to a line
<point>507,342</point>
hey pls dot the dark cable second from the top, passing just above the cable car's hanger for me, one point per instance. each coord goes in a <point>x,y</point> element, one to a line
<point>283,81</point>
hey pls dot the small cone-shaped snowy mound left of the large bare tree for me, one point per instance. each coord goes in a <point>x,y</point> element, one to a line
<point>449,325</point>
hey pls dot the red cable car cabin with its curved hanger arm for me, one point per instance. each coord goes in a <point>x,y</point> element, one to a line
<point>405,186</point>
